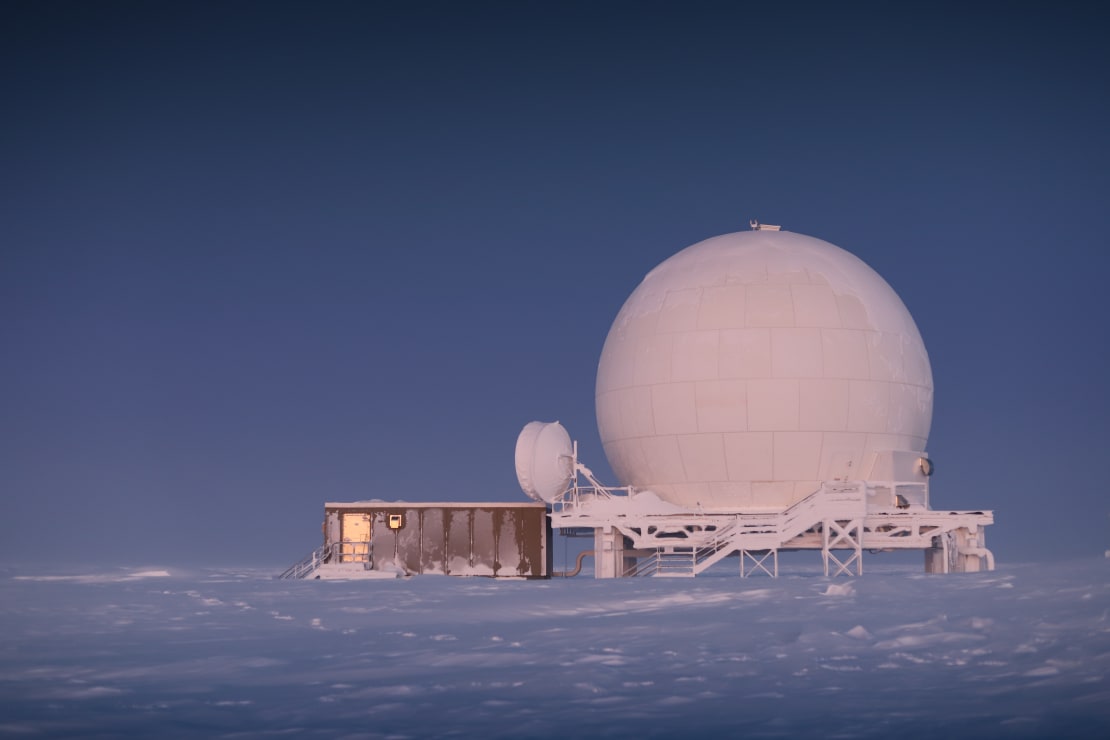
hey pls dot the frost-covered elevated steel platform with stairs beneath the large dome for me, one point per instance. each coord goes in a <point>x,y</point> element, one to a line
<point>842,520</point>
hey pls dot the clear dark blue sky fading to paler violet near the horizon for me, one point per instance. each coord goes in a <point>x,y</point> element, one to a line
<point>260,256</point>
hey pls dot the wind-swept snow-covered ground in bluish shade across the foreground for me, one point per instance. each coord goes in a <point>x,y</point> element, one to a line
<point>1023,653</point>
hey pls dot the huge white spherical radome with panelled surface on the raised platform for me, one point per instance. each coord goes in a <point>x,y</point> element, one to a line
<point>750,368</point>
